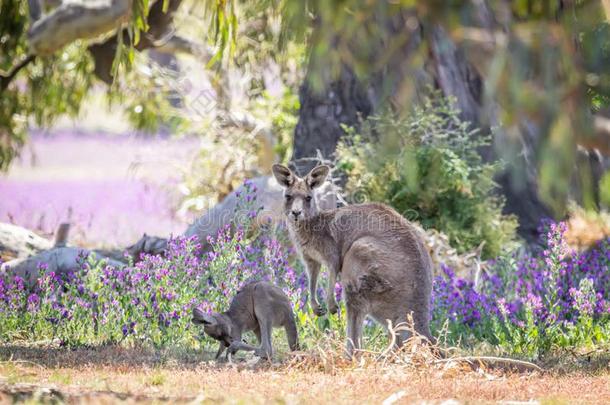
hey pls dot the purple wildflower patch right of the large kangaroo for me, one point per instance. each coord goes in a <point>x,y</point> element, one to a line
<point>551,298</point>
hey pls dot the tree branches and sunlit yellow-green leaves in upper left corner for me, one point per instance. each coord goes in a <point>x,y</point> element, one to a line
<point>51,52</point>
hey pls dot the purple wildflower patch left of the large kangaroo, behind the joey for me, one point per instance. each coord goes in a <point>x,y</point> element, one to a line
<point>149,302</point>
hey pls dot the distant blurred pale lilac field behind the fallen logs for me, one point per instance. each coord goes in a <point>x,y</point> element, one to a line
<point>111,188</point>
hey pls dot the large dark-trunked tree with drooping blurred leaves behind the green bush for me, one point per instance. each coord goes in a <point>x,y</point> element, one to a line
<point>534,72</point>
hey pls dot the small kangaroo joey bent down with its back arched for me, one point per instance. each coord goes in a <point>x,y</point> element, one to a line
<point>257,307</point>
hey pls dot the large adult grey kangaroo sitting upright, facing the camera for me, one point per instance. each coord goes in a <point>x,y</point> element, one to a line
<point>384,267</point>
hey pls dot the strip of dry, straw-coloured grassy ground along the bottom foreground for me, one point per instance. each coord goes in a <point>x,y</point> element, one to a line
<point>108,375</point>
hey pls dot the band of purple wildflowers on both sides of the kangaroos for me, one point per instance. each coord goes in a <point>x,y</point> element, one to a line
<point>525,305</point>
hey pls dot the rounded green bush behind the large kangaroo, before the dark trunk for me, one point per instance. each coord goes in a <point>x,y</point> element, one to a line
<point>427,166</point>
